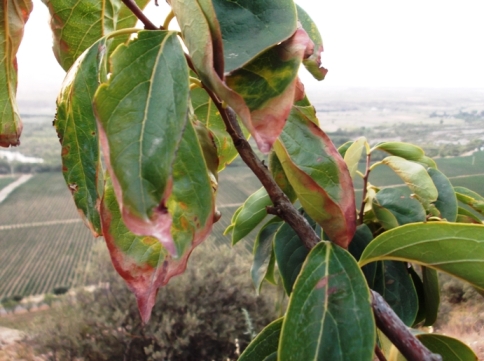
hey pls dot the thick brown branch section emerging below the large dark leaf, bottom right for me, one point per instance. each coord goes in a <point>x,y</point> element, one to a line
<point>398,333</point>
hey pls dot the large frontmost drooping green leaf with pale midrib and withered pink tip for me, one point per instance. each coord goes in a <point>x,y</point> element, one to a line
<point>142,114</point>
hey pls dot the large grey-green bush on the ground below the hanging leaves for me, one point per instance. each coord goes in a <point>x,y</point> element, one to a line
<point>198,316</point>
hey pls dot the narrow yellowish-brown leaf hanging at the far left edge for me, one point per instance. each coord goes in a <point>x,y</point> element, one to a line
<point>13,16</point>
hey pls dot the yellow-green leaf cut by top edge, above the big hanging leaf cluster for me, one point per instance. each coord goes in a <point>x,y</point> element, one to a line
<point>76,25</point>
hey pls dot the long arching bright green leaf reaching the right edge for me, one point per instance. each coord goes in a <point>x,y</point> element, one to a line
<point>457,249</point>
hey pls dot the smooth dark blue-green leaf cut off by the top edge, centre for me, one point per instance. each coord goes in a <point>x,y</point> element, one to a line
<point>250,27</point>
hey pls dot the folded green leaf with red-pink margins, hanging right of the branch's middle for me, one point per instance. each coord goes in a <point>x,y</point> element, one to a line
<point>319,176</point>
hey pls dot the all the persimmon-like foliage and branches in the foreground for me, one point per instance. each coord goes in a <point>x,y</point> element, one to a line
<point>165,108</point>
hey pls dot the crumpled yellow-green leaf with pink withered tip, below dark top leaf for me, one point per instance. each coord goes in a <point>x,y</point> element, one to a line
<point>268,86</point>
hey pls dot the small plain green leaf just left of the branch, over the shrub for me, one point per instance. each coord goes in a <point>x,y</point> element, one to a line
<point>251,213</point>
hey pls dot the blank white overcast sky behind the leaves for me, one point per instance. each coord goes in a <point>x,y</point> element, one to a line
<point>373,43</point>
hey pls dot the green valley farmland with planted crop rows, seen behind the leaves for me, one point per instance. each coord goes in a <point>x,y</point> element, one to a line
<point>45,245</point>
